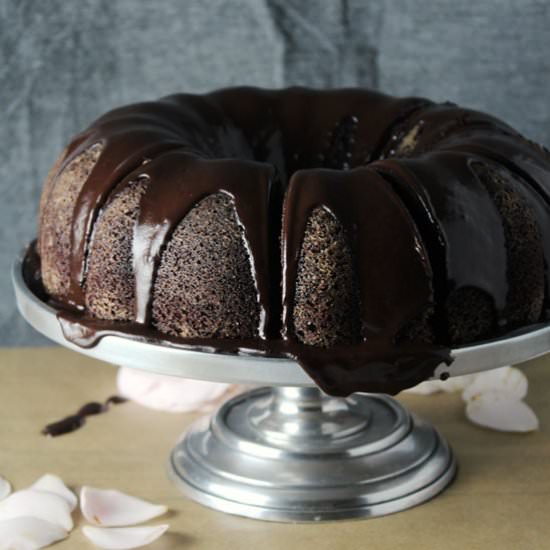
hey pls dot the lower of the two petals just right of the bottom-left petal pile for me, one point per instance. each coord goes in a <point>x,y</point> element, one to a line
<point>121,538</point>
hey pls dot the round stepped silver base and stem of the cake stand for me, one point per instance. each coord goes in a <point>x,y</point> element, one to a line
<point>295,454</point>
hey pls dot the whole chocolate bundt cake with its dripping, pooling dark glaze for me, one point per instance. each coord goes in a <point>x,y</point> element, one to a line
<point>360,234</point>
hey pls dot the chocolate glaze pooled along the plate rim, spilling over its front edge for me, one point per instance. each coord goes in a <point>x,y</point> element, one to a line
<point>340,370</point>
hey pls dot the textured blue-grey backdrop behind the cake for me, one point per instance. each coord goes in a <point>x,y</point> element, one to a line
<point>63,63</point>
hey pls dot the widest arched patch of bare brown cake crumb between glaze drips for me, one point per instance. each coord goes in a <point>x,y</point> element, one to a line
<point>204,285</point>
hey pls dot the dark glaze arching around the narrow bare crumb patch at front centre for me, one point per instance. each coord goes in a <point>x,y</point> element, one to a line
<point>399,289</point>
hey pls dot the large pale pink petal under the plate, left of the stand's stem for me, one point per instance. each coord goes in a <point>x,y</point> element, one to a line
<point>167,393</point>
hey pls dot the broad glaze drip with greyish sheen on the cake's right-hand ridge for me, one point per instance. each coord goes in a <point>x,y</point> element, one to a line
<point>460,216</point>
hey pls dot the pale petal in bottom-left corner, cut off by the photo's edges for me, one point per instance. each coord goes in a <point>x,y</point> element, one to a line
<point>29,533</point>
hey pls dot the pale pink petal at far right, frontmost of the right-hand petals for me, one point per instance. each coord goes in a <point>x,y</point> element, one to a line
<point>499,412</point>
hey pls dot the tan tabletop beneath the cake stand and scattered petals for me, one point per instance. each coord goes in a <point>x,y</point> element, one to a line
<point>500,500</point>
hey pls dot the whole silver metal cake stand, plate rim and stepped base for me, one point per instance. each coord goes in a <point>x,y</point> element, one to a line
<point>288,452</point>
